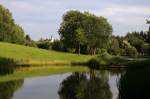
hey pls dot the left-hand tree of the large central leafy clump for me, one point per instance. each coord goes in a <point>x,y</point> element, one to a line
<point>72,21</point>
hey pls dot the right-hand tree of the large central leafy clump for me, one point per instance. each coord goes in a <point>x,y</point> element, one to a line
<point>98,32</point>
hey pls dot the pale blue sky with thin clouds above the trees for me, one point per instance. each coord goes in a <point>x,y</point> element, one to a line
<point>42,18</point>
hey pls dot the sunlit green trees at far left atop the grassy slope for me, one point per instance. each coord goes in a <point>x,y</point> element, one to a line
<point>9,31</point>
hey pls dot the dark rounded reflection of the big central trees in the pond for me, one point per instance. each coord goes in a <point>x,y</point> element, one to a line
<point>84,86</point>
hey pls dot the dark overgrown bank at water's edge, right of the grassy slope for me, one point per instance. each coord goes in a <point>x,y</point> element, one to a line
<point>107,60</point>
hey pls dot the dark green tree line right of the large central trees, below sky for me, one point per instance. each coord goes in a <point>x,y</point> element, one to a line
<point>133,44</point>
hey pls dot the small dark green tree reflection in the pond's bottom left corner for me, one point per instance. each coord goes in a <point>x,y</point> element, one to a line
<point>7,89</point>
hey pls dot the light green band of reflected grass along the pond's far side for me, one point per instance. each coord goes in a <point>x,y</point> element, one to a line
<point>40,71</point>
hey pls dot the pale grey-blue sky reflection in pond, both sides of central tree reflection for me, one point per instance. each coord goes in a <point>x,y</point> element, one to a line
<point>47,87</point>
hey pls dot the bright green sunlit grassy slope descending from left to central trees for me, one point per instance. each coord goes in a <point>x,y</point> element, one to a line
<point>24,53</point>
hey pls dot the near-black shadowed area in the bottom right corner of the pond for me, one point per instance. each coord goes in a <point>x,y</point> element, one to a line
<point>135,84</point>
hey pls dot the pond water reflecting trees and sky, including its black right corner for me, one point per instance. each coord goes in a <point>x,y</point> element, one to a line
<point>102,84</point>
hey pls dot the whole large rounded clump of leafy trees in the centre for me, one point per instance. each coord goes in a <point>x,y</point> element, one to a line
<point>84,28</point>
